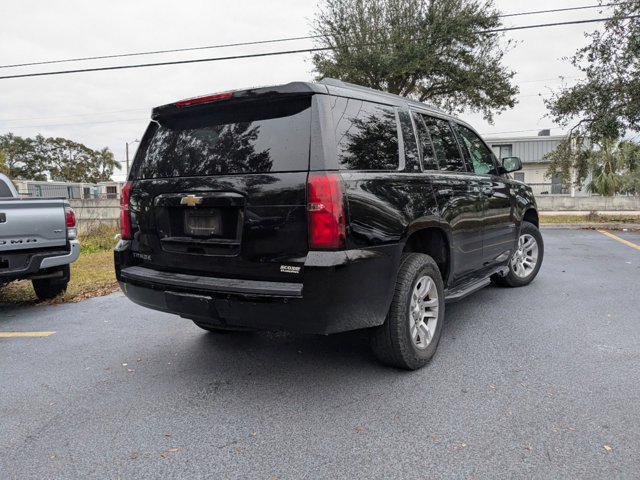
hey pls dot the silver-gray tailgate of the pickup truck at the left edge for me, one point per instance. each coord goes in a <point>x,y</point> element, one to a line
<point>28,224</point>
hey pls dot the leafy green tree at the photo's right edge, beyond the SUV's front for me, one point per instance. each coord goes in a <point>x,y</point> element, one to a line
<point>602,107</point>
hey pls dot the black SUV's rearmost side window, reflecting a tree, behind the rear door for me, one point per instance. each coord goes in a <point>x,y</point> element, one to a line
<point>366,135</point>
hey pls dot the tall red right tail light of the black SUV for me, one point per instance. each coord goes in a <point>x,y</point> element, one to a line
<point>326,212</point>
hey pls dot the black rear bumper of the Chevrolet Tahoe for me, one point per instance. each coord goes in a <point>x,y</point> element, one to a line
<point>342,291</point>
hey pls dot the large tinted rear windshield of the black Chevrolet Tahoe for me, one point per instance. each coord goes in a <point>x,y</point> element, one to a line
<point>254,137</point>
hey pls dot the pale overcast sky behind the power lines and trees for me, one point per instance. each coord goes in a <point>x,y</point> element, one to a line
<point>109,108</point>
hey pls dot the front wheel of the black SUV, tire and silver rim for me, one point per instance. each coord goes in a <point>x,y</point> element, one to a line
<point>526,260</point>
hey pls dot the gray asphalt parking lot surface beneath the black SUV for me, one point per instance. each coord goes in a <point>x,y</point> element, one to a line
<point>537,382</point>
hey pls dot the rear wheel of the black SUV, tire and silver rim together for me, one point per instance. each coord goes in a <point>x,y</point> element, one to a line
<point>410,334</point>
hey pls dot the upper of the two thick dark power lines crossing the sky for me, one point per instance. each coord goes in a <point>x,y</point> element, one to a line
<point>263,42</point>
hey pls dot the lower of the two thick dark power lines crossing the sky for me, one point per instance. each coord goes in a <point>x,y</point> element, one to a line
<point>283,52</point>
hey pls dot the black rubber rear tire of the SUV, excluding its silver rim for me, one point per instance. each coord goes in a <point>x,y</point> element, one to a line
<point>392,342</point>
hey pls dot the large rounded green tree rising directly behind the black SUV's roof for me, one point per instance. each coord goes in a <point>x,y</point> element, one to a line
<point>438,51</point>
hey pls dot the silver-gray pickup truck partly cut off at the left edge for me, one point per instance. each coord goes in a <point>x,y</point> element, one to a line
<point>37,241</point>
